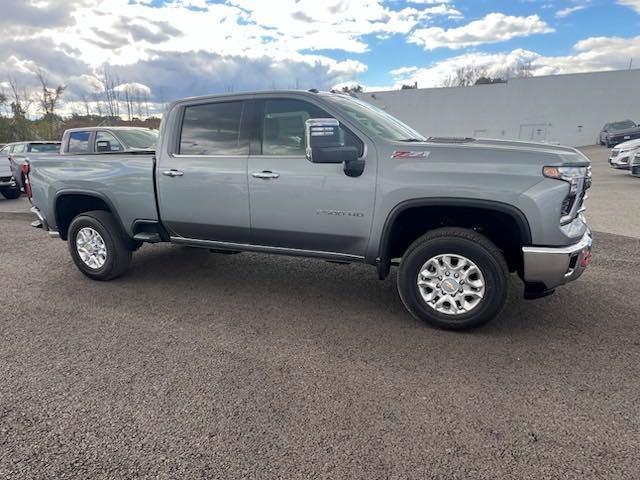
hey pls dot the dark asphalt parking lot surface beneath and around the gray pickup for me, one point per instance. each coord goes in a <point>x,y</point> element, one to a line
<point>197,365</point>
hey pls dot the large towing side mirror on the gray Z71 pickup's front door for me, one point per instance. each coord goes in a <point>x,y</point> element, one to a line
<point>324,145</point>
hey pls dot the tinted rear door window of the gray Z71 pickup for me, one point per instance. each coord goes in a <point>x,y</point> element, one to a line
<point>213,129</point>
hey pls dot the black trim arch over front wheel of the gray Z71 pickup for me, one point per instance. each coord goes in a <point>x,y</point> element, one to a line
<point>383,261</point>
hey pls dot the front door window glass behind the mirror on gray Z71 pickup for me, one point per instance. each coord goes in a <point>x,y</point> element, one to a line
<point>283,125</point>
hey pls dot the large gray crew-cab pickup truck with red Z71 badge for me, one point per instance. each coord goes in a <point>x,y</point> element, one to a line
<point>329,176</point>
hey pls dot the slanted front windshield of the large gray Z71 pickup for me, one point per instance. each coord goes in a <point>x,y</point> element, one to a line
<point>375,120</point>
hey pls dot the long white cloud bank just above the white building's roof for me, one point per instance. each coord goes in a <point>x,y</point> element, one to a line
<point>592,54</point>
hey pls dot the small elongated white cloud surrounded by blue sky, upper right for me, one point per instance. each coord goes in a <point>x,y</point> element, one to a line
<point>494,27</point>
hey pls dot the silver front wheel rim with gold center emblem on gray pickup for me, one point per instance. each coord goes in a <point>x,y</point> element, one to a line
<point>451,284</point>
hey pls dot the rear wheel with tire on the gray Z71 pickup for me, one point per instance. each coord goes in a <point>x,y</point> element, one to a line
<point>98,246</point>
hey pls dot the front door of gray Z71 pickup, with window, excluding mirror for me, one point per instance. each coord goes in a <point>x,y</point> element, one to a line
<point>300,205</point>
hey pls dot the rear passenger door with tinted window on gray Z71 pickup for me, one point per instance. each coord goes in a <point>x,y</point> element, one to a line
<point>202,186</point>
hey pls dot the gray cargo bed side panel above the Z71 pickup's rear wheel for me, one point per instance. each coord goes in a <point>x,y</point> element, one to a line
<point>124,180</point>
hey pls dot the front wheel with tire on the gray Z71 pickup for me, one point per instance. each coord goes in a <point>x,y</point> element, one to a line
<point>453,278</point>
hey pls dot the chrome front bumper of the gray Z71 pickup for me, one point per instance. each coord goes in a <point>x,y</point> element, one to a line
<point>555,266</point>
